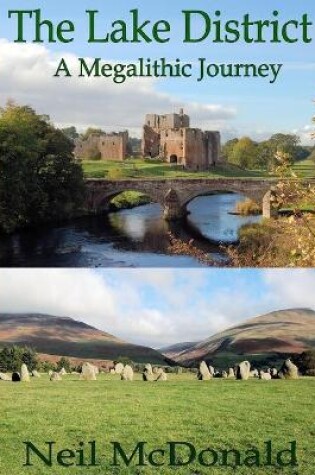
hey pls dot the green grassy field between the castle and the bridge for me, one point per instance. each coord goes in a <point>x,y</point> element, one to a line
<point>138,168</point>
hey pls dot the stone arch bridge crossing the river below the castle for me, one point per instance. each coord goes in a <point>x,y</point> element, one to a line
<point>174,195</point>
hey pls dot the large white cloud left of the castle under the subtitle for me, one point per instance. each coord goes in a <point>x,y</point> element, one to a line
<point>27,76</point>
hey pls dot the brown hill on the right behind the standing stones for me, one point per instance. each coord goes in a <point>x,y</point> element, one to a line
<point>262,338</point>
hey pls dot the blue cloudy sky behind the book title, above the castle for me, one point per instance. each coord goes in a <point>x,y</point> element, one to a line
<point>234,106</point>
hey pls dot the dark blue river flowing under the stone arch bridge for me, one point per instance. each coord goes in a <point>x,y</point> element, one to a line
<point>137,237</point>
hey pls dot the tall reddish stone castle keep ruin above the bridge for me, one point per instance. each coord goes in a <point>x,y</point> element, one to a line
<point>171,138</point>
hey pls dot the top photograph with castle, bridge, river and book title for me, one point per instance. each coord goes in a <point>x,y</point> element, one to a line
<point>169,134</point>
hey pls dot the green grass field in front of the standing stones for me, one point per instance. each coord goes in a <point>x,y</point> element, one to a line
<point>218,413</point>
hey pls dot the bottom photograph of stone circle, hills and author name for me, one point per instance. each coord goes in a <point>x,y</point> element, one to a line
<point>167,371</point>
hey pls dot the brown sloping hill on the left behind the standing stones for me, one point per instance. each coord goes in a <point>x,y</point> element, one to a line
<point>65,336</point>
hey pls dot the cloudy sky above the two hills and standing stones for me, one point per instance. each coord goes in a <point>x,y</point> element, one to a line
<point>156,307</point>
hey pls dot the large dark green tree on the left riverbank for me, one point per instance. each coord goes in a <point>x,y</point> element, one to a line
<point>39,179</point>
